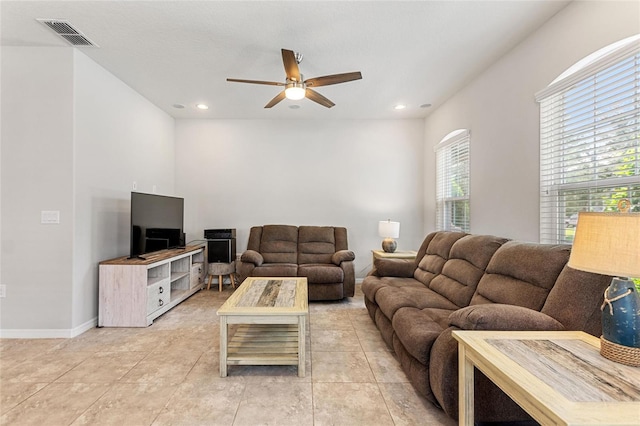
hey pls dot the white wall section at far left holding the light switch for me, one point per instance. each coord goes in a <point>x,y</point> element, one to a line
<point>37,174</point>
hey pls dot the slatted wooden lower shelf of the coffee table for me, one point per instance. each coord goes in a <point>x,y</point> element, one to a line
<point>264,344</point>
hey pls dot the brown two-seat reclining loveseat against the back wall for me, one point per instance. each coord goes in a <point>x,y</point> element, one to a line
<point>319,253</point>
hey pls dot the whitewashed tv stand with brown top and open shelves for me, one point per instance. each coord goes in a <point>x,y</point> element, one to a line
<point>134,292</point>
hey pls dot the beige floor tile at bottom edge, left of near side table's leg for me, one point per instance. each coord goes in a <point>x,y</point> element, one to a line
<point>408,408</point>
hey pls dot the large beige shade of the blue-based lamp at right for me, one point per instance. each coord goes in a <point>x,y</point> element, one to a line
<point>607,243</point>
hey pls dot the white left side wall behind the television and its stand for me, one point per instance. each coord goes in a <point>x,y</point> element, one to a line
<point>120,138</point>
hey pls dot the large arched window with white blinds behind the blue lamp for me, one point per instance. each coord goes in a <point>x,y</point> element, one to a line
<point>590,139</point>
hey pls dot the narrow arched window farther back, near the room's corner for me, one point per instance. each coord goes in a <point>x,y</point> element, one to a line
<point>452,182</point>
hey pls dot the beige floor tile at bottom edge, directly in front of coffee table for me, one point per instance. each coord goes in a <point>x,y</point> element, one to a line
<point>276,404</point>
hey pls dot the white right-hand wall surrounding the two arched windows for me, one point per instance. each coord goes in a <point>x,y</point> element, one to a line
<point>500,110</point>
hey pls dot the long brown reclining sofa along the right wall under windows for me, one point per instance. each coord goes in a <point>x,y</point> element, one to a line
<point>475,282</point>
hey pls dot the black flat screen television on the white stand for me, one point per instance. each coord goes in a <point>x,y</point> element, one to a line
<point>156,223</point>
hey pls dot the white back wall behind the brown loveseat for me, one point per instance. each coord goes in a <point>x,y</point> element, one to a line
<point>352,173</point>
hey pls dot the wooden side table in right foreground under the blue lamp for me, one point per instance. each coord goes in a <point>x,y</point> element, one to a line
<point>558,377</point>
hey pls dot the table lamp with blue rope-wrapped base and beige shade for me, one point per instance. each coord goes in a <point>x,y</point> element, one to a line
<point>609,244</point>
